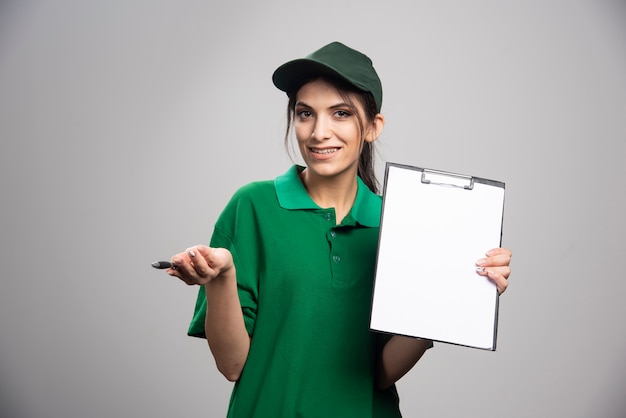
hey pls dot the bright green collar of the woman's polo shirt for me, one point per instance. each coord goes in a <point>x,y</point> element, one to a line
<point>292,195</point>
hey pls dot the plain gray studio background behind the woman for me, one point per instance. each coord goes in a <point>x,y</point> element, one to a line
<point>126,126</point>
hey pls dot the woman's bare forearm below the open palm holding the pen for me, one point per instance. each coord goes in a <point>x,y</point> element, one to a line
<point>224,326</point>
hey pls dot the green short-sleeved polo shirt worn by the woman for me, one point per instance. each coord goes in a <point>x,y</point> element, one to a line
<point>305,288</point>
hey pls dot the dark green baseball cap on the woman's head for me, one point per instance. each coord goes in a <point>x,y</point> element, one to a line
<point>335,60</point>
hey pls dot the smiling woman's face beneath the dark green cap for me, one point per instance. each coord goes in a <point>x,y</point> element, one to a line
<point>328,131</point>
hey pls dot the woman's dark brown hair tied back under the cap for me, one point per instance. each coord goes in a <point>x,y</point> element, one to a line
<point>366,160</point>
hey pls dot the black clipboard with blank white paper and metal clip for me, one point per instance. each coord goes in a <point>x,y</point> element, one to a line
<point>434,226</point>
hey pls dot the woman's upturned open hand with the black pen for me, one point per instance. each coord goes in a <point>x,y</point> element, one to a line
<point>200,264</point>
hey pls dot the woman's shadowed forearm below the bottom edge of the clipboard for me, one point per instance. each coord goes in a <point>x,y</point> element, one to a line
<point>396,357</point>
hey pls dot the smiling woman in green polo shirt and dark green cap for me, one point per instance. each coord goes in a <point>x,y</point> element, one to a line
<point>288,276</point>
